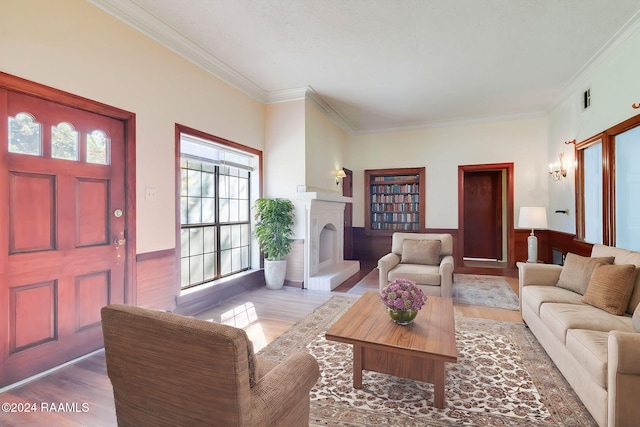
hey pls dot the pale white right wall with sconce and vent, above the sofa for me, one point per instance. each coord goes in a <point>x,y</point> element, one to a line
<point>615,86</point>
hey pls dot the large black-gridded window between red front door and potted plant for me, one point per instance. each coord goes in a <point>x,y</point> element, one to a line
<point>215,231</point>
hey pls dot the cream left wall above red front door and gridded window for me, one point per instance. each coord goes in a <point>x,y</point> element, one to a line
<point>74,46</point>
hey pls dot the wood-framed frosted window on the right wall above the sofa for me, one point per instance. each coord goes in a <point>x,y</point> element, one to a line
<point>608,179</point>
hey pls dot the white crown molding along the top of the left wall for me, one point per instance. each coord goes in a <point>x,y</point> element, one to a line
<point>142,21</point>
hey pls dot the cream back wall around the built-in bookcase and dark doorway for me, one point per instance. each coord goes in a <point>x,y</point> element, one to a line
<point>442,149</point>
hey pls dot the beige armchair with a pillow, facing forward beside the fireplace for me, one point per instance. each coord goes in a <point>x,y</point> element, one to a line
<point>426,259</point>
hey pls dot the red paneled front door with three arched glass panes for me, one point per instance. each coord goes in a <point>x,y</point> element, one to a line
<point>62,251</point>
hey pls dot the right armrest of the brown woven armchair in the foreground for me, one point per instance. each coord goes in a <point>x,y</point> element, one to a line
<point>289,381</point>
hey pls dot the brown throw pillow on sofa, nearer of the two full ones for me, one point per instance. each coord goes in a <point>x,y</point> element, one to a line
<point>610,288</point>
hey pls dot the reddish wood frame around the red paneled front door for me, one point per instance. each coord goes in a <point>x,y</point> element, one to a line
<point>18,84</point>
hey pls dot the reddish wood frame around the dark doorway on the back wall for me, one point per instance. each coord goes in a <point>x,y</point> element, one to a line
<point>508,167</point>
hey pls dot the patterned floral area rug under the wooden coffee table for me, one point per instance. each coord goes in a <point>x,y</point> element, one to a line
<point>503,378</point>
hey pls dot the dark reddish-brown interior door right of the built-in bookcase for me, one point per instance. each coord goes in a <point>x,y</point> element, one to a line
<point>483,214</point>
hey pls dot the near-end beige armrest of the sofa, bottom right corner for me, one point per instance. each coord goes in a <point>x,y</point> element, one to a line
<point>623,378</point>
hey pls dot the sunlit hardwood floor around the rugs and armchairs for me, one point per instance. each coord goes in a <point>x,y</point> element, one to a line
<point>80,394</point>
